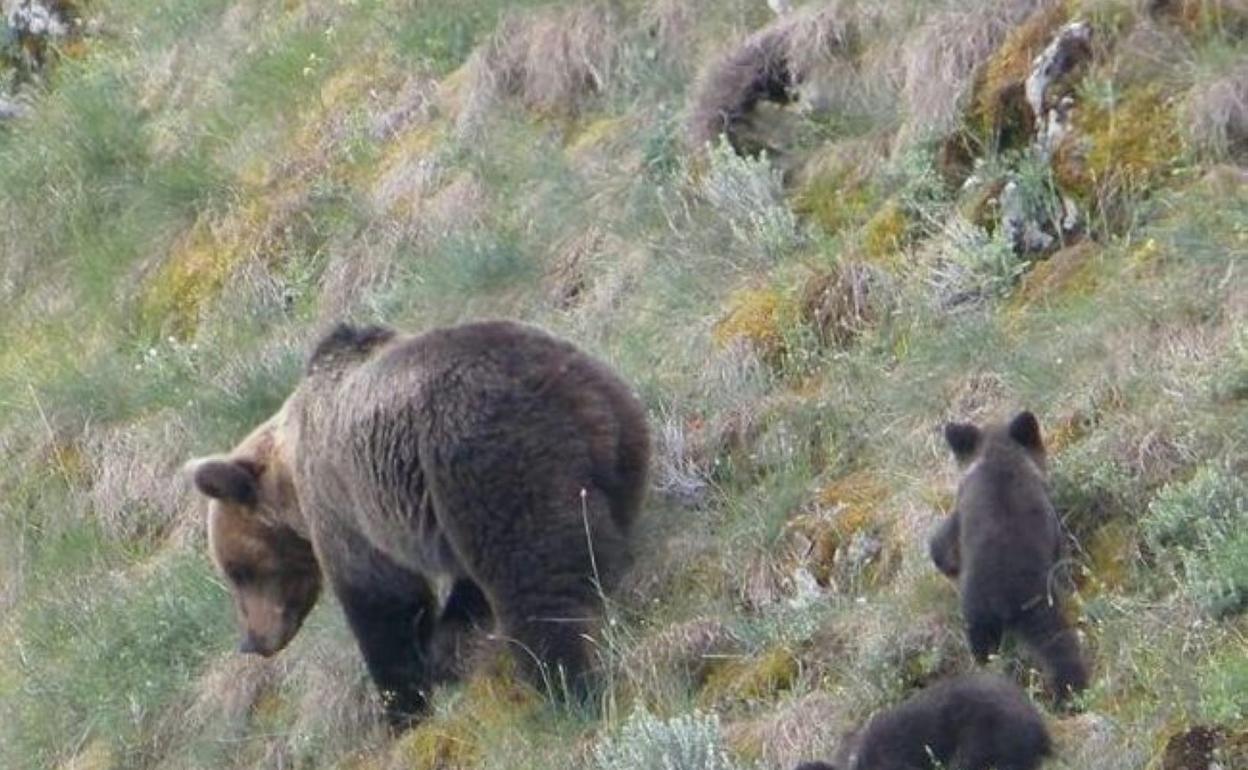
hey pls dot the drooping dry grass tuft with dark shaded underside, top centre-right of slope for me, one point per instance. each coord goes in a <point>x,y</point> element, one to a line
<point>767,67</point>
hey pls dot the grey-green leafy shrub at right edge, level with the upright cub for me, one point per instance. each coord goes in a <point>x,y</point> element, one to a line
<point>1204,525</point>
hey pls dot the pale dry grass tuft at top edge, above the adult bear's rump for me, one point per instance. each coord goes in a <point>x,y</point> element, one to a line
<point>552,62</point>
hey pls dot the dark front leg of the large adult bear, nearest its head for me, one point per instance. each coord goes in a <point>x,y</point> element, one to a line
<point>392,613</point>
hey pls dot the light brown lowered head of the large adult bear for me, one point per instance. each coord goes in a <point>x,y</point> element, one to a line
<point>258,537</point>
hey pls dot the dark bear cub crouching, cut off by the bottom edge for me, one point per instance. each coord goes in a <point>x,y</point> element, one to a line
<point>978,722</point>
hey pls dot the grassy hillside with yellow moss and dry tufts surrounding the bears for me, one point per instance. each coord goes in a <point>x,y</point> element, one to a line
<point>195,188</point>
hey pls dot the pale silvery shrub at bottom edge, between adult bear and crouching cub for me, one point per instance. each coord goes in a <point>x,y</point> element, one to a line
<point>691,742</point>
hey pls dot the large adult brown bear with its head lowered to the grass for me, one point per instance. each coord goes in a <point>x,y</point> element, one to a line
<point>480,475</point>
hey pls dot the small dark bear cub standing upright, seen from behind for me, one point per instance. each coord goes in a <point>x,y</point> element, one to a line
<point>1003,543</point>
